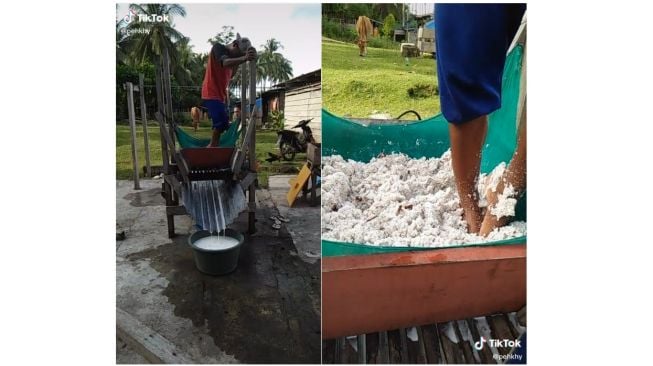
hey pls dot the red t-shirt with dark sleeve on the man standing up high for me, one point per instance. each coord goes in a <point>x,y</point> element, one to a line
<point>216,77</point>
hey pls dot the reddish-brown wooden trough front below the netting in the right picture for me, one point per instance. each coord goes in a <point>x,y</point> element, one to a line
<point>371,293</point>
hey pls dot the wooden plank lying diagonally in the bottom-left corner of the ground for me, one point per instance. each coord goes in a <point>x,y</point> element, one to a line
<point>147,342</point>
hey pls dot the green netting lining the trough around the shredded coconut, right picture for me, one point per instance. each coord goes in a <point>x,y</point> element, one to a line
<point>427,138</point>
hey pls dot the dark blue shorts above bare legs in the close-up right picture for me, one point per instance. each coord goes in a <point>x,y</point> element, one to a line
<point>471,45</point>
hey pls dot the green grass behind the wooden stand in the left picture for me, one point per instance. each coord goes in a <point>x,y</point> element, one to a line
<point>265,142</point>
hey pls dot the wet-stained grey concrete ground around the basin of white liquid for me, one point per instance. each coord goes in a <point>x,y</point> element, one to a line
<point>267,311</point>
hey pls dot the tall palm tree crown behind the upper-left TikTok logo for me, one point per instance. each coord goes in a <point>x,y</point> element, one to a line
<point>152,39</point>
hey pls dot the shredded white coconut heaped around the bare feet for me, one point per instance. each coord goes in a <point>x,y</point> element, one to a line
<point>397,201</point>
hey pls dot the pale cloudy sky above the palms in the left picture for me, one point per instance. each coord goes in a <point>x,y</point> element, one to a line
<point>296,26</point>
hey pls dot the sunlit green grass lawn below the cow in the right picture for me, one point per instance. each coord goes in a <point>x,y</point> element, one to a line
<point>359,86</point>
